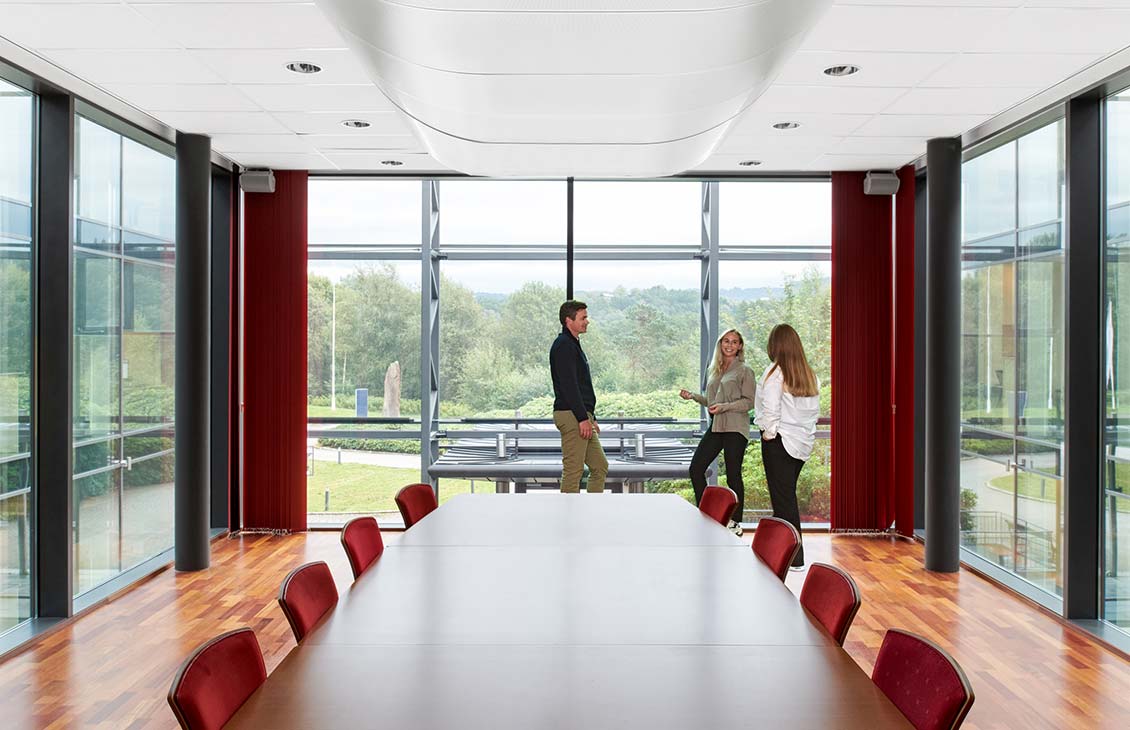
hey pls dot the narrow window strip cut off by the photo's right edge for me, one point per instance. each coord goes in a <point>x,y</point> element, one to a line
<point>1117,368</point>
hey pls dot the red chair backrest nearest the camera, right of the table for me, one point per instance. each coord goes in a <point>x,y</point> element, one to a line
<point>923,681</point>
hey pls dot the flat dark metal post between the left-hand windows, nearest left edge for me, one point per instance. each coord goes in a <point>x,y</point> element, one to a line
<point>54,355</point>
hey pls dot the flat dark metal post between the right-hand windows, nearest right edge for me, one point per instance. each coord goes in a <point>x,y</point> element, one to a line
<point>1083,412</point>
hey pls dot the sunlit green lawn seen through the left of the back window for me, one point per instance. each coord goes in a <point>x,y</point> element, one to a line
<point>359,488</point>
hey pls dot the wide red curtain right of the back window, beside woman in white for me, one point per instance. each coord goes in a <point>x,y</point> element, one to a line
<point>863,496</point>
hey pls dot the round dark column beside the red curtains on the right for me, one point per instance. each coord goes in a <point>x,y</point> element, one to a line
<point>944,349</point>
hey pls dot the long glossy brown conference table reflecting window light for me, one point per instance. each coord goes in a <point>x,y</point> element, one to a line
<point>553,611</point>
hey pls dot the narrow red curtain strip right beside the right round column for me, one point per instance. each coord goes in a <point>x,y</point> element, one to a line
<point>903,375</point>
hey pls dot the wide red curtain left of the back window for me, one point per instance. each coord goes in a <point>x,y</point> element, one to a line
<point>275,357</point>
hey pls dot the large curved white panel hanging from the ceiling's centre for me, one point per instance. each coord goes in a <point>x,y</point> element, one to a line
<point>573,88</point>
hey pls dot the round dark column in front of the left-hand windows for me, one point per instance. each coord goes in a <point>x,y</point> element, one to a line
<point>194,293</point>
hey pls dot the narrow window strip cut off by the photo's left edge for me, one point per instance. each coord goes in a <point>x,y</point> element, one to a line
<point>16,318</point>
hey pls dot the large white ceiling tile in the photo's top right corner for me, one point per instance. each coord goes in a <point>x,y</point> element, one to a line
<point>1058,31</point>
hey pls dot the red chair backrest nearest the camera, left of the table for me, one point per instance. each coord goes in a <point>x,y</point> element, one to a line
<point>216,680</point>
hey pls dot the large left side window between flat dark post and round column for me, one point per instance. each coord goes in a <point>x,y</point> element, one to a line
<point>124,347</point>
